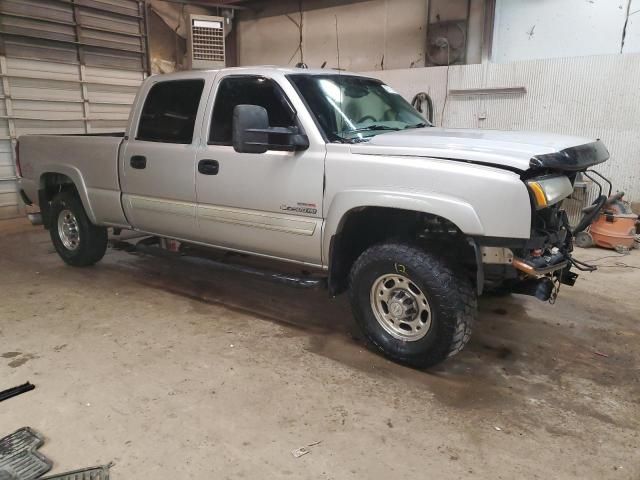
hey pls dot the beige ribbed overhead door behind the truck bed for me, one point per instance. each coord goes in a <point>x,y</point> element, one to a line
<point>67,66</point>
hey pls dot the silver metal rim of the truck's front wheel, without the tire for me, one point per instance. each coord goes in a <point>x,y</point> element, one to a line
<point>400,307</point>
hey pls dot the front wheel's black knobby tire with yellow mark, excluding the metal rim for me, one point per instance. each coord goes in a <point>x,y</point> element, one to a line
<point>451,297</point>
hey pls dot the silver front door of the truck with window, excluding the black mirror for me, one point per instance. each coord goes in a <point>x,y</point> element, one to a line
<point>269,203</point>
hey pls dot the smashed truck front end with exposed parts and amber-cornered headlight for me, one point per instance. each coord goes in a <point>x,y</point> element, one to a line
<point>544,262</point>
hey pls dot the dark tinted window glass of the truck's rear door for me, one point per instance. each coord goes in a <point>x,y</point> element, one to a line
<point>169,112</point>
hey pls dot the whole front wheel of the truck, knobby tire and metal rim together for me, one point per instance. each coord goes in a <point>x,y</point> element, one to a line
<point>412,305</point>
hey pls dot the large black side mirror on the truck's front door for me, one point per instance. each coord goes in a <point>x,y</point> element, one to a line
<point>252,133</point>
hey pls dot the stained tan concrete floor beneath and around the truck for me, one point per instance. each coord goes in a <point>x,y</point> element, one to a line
<point>175,371</point>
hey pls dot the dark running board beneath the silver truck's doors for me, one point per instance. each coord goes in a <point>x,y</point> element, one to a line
<point>149,246</point>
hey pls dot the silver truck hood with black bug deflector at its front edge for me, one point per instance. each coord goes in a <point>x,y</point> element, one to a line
<point>511,150</point>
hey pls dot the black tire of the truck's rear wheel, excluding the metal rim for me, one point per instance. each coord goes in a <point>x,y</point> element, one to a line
<point>93,240</point>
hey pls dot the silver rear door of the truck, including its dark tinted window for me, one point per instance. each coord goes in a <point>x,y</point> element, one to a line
<point>157,162</point>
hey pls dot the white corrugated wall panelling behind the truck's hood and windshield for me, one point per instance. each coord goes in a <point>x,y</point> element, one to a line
<point>597,97</point>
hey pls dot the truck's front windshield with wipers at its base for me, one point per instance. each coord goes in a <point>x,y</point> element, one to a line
<point>353,109</point>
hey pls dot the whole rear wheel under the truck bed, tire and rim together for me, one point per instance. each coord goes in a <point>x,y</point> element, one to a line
<point>78,242</point>
